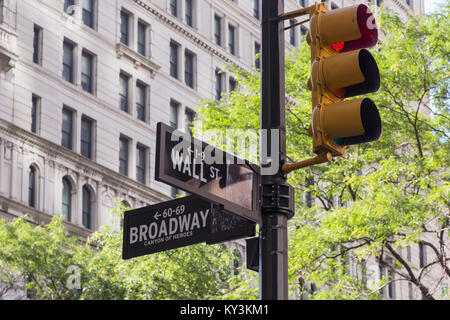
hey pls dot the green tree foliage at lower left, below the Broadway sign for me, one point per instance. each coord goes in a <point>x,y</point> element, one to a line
<point>50,264</point>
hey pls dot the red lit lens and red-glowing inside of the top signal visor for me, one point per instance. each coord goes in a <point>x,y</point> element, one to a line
<point>368,29</point>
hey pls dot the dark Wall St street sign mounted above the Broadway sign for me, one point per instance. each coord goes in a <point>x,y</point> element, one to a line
<point>198,168</point>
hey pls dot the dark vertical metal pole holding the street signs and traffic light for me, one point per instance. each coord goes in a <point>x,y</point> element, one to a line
<point>273,266</point>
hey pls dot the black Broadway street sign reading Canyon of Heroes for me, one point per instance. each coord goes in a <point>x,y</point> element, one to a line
<point>178,223</point>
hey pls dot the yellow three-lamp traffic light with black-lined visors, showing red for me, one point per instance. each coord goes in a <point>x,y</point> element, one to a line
<point>341,68</point>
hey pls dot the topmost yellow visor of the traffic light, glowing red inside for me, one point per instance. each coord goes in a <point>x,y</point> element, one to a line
<point>350,28</point>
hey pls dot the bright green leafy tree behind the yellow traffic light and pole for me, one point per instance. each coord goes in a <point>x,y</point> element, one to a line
<point>384,197</point>
